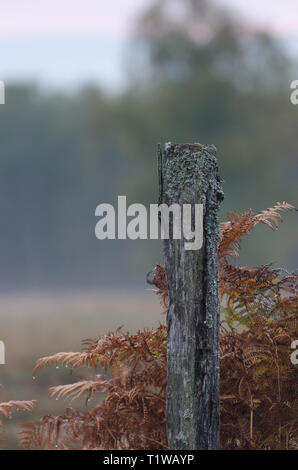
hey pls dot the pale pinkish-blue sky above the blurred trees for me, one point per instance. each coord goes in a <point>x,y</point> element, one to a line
<point>64,43</point>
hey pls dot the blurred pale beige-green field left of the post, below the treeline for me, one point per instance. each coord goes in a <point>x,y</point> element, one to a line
<point>36,325</point>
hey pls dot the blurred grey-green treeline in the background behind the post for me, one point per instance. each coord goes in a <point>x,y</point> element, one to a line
<point>63,154</point>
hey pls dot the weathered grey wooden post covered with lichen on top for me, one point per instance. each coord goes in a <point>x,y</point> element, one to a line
<point>188,174</point>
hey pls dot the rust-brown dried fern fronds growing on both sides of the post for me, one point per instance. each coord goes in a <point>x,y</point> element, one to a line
<point>259,406</point>
